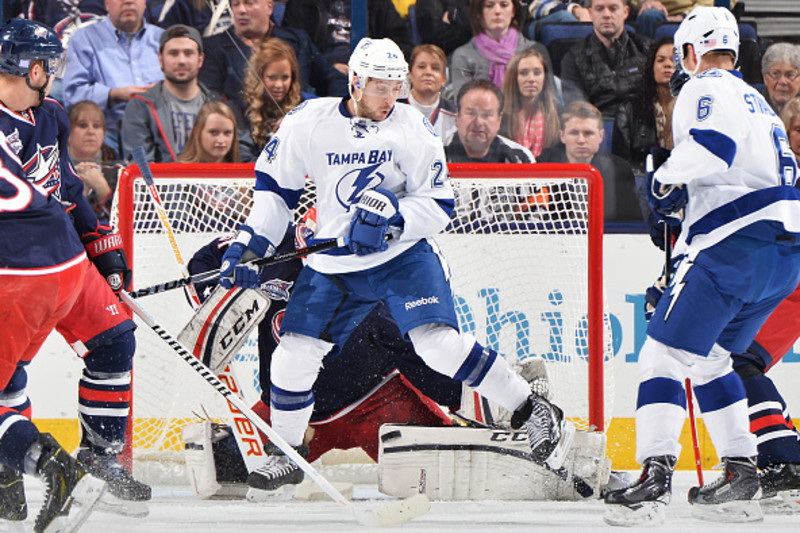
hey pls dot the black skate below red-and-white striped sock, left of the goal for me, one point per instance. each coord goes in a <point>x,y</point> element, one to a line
<point>125,495</point>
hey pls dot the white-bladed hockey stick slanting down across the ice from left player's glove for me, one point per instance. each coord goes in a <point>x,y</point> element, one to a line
<point>395,513</point>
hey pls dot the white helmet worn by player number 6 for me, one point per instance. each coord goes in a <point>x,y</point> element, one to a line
<point>707,29</point>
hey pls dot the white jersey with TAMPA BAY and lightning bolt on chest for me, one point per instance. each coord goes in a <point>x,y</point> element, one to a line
<point>345,156</point>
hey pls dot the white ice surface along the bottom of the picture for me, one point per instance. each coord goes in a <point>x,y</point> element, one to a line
<point>174,510</point>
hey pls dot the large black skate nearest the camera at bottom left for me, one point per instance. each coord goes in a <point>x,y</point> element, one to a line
<point>65,482</point>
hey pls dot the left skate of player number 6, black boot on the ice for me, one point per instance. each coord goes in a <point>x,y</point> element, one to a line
<point>645,501</point>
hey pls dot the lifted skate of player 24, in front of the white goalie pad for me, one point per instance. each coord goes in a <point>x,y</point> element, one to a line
<point>549,433</point>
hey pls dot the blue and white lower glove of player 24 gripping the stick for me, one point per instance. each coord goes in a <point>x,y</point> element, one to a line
<point>246,246</point>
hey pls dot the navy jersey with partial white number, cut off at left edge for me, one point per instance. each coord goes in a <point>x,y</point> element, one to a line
<point>36,235</point>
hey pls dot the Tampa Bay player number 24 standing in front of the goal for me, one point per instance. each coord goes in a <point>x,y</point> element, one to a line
<point>379,170</point>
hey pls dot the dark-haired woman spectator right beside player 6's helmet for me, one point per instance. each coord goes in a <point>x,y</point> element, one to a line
<point>645,123</point>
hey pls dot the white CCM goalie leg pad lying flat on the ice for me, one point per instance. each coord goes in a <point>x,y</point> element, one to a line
<point>479,464</point>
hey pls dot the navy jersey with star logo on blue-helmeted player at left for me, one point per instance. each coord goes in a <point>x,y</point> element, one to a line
<point>39,136</point>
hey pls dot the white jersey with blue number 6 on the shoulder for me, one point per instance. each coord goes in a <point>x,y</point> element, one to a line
<point>732,152</point>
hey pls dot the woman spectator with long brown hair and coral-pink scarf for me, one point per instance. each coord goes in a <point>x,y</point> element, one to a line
<point>530,116</point>
